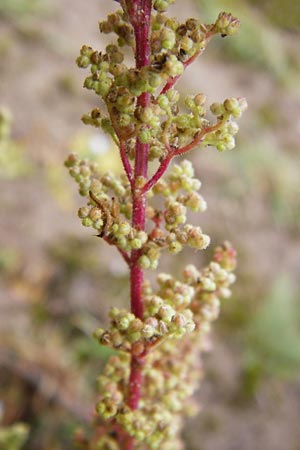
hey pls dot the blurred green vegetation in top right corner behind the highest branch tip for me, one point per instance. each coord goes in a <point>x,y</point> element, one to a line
<point>260,43</point>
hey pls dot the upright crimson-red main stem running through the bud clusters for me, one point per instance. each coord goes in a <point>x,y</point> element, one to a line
<point>140,12</point>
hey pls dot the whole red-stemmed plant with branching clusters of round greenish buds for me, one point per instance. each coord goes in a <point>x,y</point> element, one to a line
<point>146,389</point>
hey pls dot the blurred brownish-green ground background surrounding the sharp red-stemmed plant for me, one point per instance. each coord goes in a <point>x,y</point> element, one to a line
<point>58,281</point>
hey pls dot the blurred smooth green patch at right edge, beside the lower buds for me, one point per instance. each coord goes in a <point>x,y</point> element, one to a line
<point>278,314</point>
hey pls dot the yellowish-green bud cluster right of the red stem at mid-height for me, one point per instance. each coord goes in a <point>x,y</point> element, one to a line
<point>180,192</point>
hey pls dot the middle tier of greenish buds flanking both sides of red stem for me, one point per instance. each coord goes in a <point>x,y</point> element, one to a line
<point>109,210</point>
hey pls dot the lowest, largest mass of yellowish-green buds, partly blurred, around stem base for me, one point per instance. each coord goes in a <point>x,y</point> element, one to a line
<point>177,309</point>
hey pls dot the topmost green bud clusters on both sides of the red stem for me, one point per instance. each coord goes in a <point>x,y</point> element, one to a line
<point>159,124</point>
